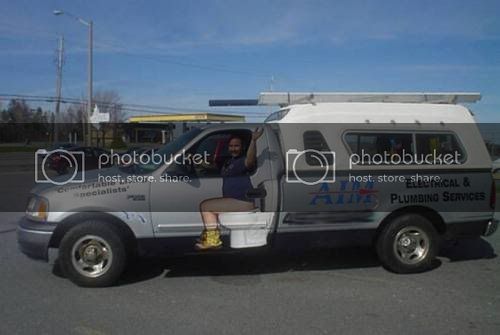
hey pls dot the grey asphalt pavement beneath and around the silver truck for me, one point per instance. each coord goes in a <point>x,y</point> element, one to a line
<point>316,292</point>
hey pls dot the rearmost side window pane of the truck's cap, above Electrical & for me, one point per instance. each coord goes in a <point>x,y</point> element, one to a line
<point>439,144</point>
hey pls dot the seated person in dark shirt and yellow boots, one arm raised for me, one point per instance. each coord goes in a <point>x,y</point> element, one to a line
<point>235,185</point>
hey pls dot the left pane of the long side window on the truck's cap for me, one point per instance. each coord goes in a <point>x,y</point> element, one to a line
<point>379,143</point>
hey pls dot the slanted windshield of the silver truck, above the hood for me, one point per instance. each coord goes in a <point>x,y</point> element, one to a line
<point>166,152</point>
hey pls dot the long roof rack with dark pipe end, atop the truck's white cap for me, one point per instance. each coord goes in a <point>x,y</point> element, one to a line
<point>291,98</point>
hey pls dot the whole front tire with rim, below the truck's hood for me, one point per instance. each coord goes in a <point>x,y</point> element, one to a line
<point>93,254</point>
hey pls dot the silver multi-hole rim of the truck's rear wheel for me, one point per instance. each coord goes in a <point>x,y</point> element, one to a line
<point>411,245</point>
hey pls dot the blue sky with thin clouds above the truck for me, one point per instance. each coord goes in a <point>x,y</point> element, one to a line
<point>182,53</point>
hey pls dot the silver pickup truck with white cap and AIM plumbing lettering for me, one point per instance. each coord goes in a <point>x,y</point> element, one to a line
<point>401,172</point>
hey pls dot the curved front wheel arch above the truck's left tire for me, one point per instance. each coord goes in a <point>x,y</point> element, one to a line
<point>73,220</point>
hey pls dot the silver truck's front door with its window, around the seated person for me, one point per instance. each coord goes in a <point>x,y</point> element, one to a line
<point>175,203</point>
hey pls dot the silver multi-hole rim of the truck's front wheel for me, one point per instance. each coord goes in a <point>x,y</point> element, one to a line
<point>91,256</point>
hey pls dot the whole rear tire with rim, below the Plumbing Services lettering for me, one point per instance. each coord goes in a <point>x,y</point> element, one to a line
<point>408,244</point>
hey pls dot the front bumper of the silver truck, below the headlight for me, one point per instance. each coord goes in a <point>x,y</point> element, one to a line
<point>33,238</point>
